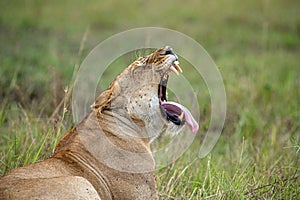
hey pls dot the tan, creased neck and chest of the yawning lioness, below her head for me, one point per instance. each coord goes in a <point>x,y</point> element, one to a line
<point>117,160</point>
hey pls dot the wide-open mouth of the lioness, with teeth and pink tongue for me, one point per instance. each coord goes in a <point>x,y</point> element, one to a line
<point>174,112</point>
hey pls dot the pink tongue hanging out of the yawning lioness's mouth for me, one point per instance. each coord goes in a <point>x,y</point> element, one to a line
<point>188,116</point>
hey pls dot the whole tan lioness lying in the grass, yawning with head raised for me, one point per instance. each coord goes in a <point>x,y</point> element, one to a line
<point>107,155</point>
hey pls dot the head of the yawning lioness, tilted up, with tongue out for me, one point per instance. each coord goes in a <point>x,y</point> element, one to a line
<point>139,94</point>
